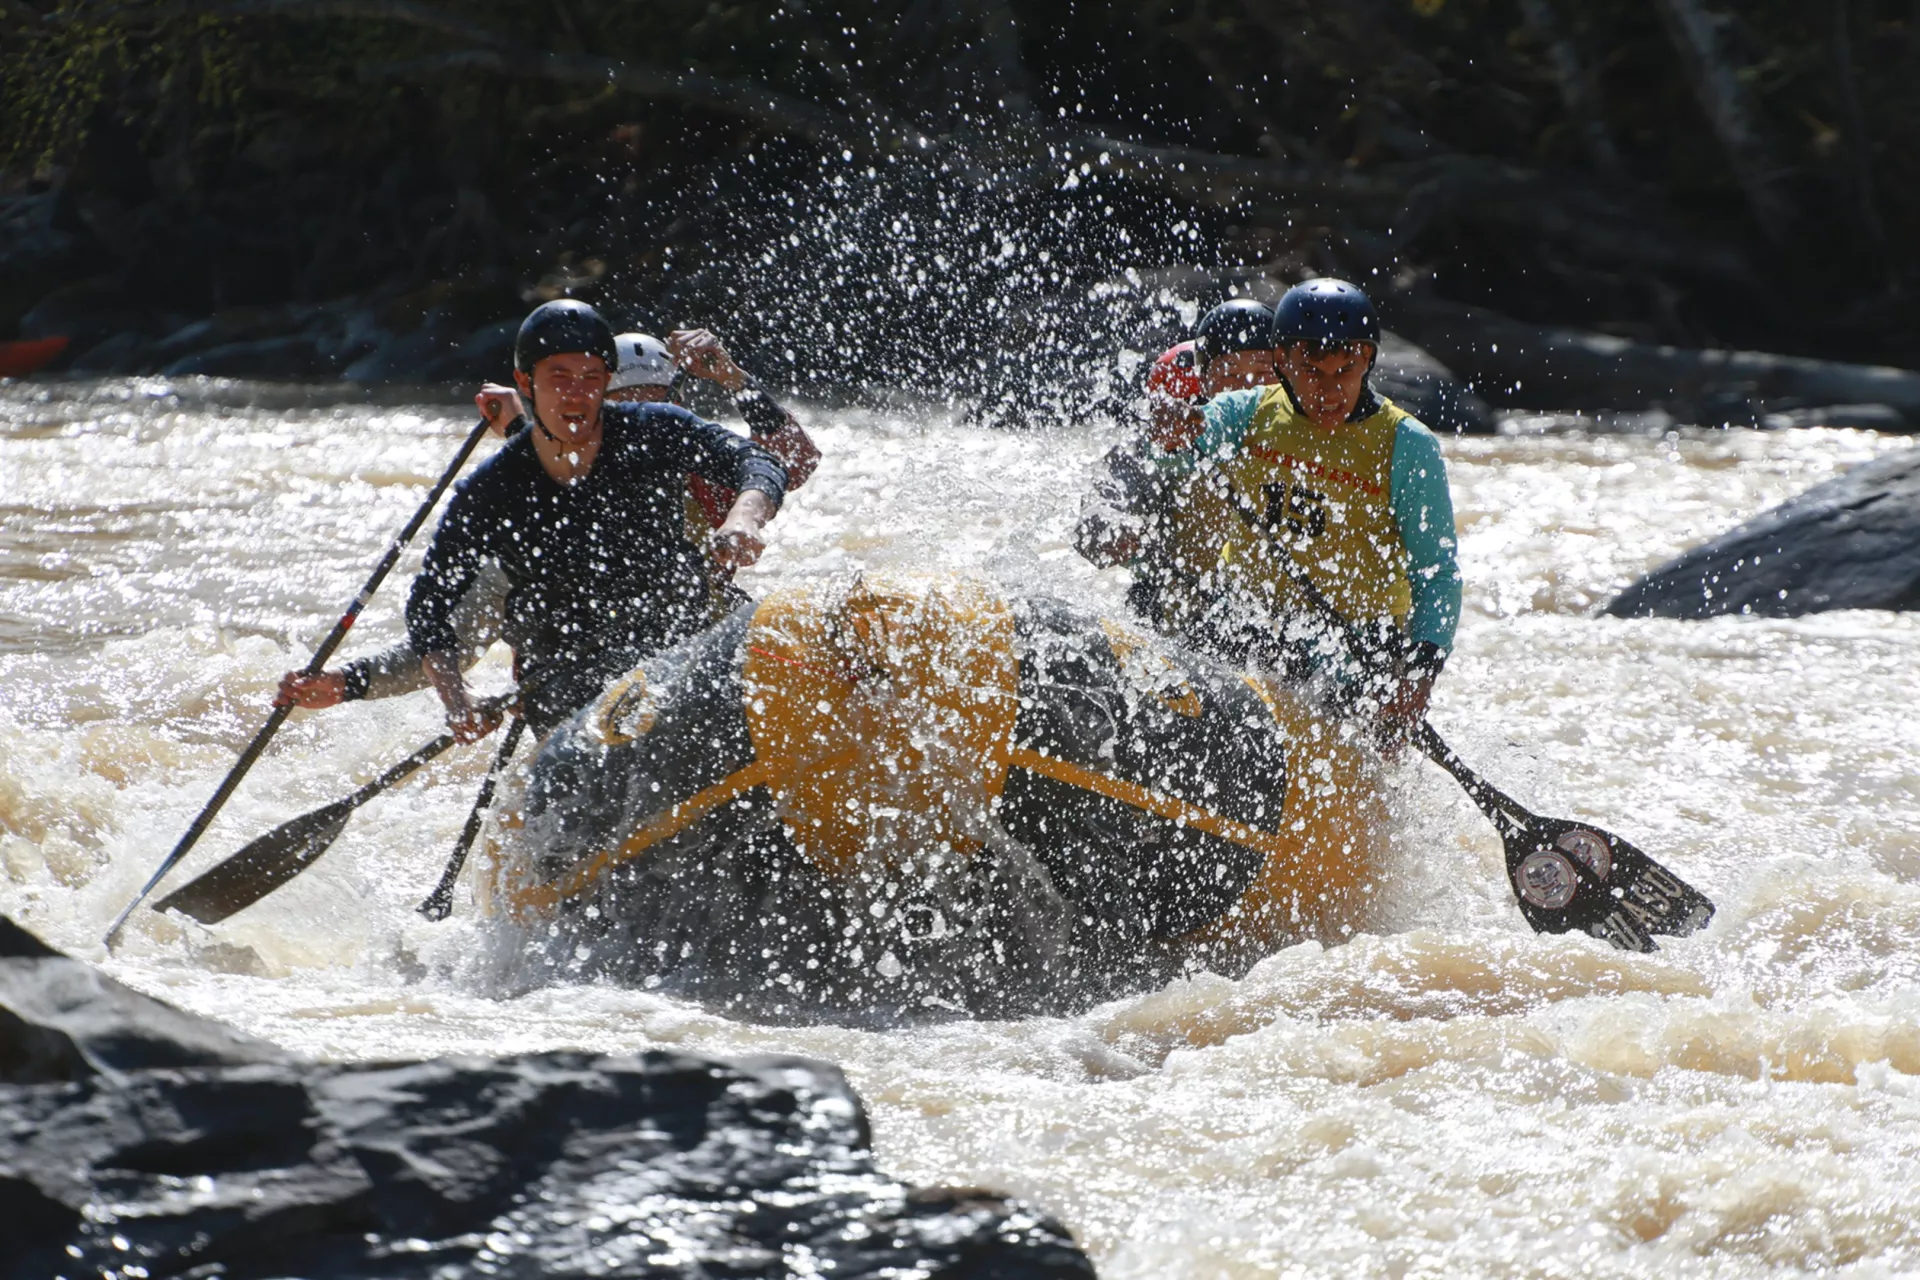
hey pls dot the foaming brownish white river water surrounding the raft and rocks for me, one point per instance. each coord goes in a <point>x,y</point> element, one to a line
<point>1447,1095</point>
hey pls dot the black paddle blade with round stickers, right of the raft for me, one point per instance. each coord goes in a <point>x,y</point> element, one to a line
<point>1575,878</point>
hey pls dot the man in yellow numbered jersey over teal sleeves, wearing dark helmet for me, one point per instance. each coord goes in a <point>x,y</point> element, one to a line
<point>1335,502</point>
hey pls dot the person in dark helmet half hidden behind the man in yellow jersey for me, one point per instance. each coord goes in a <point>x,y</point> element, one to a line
<point>1147,517</point>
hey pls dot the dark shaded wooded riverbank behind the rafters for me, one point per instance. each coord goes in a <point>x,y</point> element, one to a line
<point>944,195</point>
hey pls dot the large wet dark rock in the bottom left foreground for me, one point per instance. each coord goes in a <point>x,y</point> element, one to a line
<point>141,1141</point>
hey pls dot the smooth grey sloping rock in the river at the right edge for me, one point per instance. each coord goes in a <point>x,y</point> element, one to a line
<point>1846,544</point>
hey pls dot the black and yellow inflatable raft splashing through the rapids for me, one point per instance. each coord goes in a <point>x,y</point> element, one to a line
<point>905,797</point>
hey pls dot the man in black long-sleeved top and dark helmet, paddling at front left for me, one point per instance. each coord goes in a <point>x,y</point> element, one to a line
<point>585,515</point>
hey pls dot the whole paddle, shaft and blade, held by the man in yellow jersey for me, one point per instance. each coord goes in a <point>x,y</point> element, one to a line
<point>1566,876</point>
